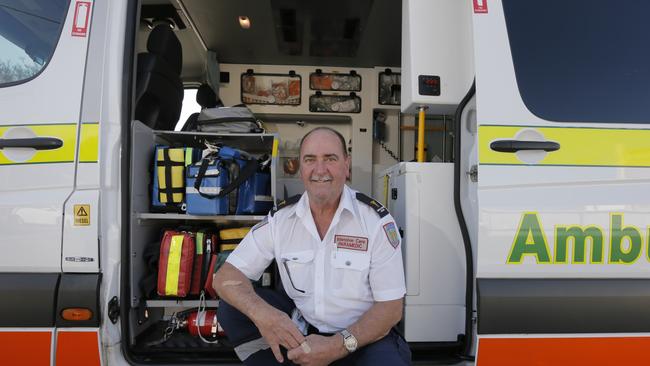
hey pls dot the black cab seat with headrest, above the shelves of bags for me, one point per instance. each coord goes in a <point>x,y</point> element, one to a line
<point>159,90</point>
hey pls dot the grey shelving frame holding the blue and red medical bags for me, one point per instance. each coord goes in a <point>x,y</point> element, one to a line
<point>146,226</point>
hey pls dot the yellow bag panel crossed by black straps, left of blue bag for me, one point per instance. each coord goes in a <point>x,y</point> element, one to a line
<point>171,163</point>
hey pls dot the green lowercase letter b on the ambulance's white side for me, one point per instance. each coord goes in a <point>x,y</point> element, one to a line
<point>618,254</point>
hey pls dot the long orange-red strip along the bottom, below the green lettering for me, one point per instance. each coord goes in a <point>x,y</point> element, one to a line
<point>562,351</point>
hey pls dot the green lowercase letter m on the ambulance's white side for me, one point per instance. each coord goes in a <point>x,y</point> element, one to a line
<point>578,236</point>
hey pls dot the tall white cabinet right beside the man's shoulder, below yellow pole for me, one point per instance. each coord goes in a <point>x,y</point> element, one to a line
<point>432,250</point>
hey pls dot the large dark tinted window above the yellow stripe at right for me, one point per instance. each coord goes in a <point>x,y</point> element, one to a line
<point>582,61</point>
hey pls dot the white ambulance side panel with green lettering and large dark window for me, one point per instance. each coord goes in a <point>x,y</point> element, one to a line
<point>563,92</point>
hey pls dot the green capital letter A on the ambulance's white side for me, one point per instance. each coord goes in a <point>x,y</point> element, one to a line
<point>529,240</point>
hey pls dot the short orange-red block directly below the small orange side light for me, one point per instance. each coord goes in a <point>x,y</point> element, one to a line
<point>75,348</point>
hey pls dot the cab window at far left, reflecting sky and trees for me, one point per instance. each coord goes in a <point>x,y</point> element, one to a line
<point>29,31</point>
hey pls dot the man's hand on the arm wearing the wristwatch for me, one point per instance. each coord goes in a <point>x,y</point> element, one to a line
<point>318,350</point>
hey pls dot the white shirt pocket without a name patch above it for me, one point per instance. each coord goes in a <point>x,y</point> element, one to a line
<point>298,272</point>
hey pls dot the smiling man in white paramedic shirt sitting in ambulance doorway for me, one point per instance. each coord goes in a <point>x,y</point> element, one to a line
<point>339,258</point>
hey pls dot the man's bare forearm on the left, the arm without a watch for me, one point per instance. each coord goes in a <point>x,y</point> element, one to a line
<point>235,288</point>
